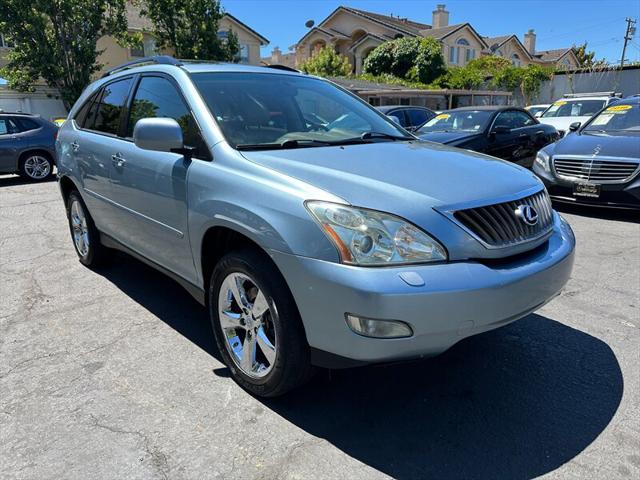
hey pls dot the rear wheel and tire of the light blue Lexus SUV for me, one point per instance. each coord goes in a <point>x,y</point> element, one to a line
<point>84,234</point>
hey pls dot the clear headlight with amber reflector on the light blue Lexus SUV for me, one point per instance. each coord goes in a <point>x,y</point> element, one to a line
<point>370,238</point>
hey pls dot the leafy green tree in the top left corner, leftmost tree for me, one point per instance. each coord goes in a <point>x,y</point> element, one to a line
<point>56,40</point>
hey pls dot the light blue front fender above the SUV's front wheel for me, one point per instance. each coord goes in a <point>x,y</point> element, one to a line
<point>265,206</point>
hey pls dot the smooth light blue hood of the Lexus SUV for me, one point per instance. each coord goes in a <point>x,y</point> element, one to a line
<point>399,176</point>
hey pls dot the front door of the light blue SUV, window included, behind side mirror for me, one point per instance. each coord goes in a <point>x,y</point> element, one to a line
<point>151,186</point>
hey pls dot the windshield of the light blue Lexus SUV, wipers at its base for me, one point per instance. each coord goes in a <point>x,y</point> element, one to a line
<point>262,110</point>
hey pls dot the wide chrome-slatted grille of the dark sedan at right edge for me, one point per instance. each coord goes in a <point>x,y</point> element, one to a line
<point>595,170</point>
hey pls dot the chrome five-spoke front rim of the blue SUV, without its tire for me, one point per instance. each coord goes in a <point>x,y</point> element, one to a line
<point>247,325</point>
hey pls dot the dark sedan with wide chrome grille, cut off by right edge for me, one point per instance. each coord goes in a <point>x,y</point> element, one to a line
<point>597,163</point>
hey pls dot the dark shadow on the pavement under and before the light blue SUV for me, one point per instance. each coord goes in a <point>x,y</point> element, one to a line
<point>516,402</point>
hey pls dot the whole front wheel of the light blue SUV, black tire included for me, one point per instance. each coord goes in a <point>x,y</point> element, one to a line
<point>257,326</point>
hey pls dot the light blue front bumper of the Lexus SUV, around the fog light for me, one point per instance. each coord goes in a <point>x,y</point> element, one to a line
<point>457,300</point>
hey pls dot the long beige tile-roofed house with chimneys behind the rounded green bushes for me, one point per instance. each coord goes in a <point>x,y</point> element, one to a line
<point>355,33</point>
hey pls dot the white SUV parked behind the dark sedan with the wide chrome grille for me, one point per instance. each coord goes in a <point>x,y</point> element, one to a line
<point>575,108</point>
